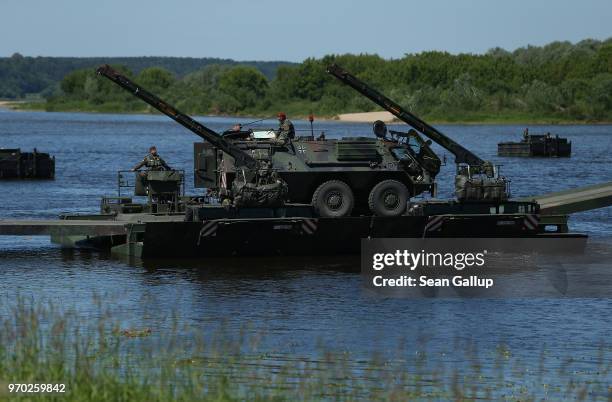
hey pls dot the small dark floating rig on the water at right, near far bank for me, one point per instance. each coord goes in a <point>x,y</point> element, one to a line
<point>538,145</point>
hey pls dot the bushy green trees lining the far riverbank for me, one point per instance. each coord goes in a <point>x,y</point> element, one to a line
<point>560,80</point>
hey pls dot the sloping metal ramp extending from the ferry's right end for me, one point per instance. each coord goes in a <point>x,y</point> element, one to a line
<point>575,200</point>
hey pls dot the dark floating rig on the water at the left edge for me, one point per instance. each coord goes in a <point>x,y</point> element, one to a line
<point>15,164</point>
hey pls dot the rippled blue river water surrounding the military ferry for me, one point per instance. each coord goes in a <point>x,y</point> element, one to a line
<point>300,304</point>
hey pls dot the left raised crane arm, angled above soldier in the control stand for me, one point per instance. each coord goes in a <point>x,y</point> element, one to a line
<point>242,158</point>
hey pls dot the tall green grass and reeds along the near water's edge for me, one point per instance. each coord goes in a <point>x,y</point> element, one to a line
<point>98,360</point>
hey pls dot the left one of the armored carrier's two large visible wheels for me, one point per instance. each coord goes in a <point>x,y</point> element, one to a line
<point>333,199</point>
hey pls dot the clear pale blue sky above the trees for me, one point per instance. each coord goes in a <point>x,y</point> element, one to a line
<point>291,30</point>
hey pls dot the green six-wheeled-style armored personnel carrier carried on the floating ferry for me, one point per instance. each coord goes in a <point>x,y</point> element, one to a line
<point>337,177</point>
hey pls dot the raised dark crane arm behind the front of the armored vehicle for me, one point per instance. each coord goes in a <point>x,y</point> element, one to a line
<point>462,155</point>
